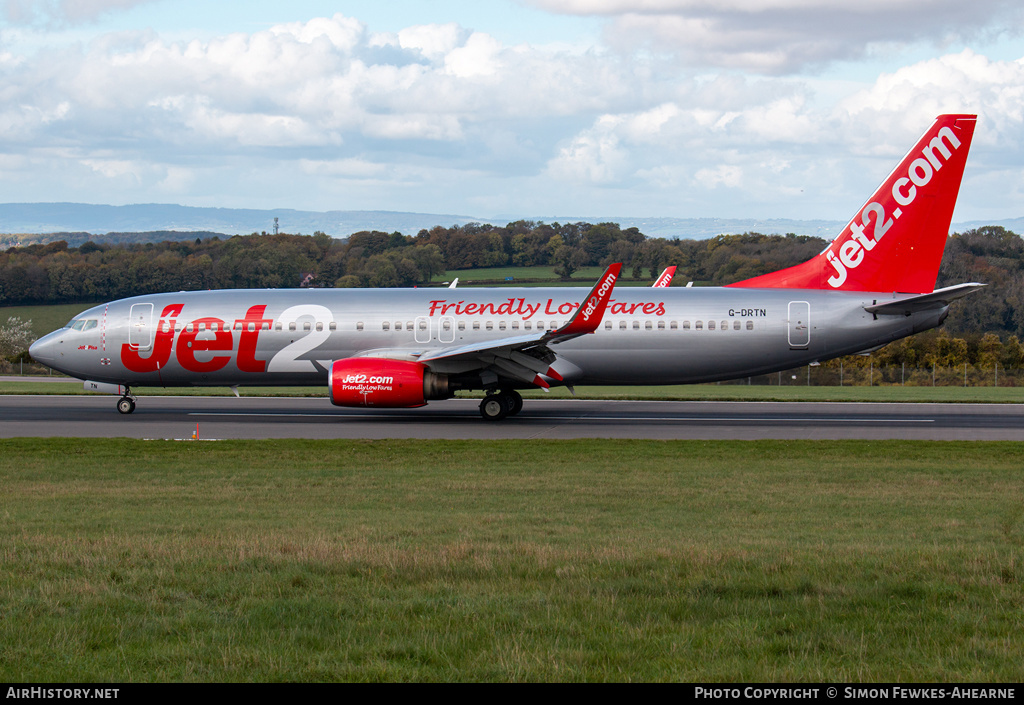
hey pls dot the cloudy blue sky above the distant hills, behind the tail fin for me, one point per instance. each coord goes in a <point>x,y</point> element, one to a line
<point>506,109</point>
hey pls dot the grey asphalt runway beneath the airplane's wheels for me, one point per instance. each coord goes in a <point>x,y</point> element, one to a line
<point>221,418</point>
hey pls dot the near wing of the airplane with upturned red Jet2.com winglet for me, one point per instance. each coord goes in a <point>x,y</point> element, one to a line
<point>525,357</point>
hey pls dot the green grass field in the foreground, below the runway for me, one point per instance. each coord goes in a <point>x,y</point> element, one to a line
<point>125,561</point>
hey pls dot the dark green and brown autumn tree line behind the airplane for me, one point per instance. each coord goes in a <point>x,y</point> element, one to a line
<point>94,272</point>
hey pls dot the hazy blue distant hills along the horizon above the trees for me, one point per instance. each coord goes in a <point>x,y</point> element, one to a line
<point>153,223</point>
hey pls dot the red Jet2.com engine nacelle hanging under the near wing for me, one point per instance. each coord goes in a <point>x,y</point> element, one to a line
<point>383,383</point>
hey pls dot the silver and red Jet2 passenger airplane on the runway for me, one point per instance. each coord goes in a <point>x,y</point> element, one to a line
<point>405,348</point>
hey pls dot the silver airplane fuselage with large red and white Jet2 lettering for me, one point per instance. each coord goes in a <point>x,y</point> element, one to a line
<point>648,337</point>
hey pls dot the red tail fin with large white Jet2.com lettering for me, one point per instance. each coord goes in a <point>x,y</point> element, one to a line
<point>895,242</point>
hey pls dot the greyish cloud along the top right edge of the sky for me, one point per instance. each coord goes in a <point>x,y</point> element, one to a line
<point>787,36</point>
